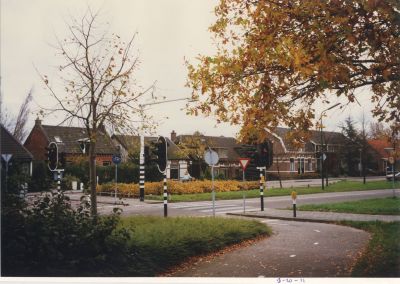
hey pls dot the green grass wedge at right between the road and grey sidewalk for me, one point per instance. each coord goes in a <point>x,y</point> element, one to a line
<point>380,206</point>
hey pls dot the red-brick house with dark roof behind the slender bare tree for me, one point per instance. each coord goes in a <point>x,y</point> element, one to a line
<point>73,141</point>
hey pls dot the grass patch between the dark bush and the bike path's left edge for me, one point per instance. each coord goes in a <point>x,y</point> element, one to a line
<point>160,243</point>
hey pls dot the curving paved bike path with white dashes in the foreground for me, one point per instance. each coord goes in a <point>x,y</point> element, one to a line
<point>296,249</point>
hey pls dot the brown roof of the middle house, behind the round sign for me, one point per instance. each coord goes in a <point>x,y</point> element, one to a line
<point>216,142</point>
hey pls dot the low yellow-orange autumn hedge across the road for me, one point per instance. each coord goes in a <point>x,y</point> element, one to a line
<point>177,187</point>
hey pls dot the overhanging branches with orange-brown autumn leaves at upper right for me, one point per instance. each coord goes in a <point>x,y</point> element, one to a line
<point>276,58</point>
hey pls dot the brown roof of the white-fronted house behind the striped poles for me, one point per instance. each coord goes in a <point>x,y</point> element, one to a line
<point>130,142</point>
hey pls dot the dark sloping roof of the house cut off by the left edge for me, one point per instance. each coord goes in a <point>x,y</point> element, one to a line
<point>10,145</point>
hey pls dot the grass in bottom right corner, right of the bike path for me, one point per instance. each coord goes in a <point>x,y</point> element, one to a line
<point>382,256</point>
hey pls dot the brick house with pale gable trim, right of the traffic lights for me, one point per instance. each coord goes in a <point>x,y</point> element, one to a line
<point>293,161</point>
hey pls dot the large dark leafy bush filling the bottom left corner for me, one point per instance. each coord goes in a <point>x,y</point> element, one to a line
<point>50,238</point>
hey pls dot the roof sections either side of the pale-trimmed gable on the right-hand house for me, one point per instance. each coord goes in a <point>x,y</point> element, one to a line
<point>330,137</point>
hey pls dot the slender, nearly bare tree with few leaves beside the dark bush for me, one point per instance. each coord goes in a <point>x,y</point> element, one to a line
<point>99,89</point>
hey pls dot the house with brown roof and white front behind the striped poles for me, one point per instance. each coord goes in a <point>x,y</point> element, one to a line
<point>177,162</point>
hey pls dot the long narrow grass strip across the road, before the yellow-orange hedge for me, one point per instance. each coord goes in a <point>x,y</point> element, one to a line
<point>340,186</point>
